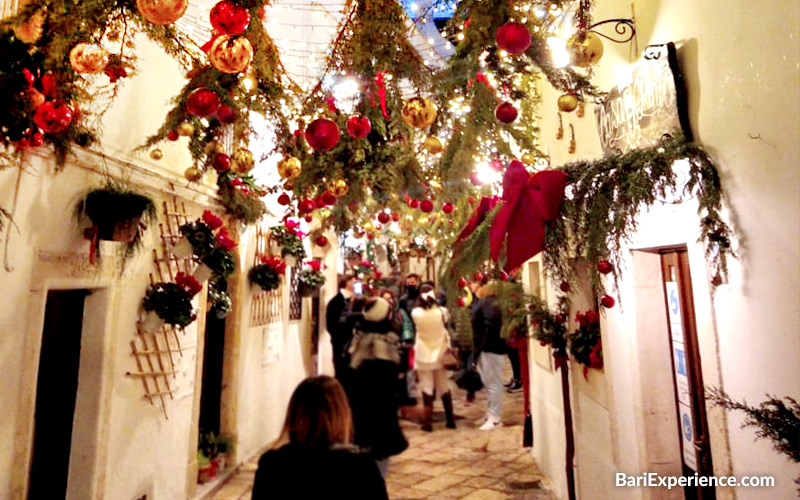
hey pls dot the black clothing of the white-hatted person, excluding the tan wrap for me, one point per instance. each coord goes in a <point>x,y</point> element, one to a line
<point>371,388</point>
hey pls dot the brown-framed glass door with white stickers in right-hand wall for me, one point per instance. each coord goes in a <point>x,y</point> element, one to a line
<point>687,371</point>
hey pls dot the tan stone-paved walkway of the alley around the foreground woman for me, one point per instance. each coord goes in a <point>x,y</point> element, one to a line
<point>465,463</point>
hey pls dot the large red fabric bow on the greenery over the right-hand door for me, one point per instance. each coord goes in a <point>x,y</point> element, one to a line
<point>528,202</point>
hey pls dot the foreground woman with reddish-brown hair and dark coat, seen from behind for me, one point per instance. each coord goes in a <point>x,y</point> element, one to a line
<point>316,458</point>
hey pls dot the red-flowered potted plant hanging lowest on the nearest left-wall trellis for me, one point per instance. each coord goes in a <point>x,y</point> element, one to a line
<point>169,303</point>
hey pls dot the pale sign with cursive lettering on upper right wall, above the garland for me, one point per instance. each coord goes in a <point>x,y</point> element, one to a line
<point>638,114</point>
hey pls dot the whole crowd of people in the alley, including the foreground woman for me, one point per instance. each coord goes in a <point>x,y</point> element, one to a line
<point>386,351</point>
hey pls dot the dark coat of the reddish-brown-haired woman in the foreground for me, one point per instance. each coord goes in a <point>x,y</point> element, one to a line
<point>295,472</point>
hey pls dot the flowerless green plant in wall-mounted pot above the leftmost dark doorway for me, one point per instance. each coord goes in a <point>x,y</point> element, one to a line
<point>116,214</point>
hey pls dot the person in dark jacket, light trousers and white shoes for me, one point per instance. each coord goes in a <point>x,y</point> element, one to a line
<point>487,322</point>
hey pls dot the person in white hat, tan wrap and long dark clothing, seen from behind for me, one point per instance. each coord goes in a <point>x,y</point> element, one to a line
<point>374,357</point>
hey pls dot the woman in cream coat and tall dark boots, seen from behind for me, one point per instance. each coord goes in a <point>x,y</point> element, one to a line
<point>433,339</point>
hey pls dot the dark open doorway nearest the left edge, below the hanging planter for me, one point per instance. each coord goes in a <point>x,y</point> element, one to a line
<point>56,394</point>
